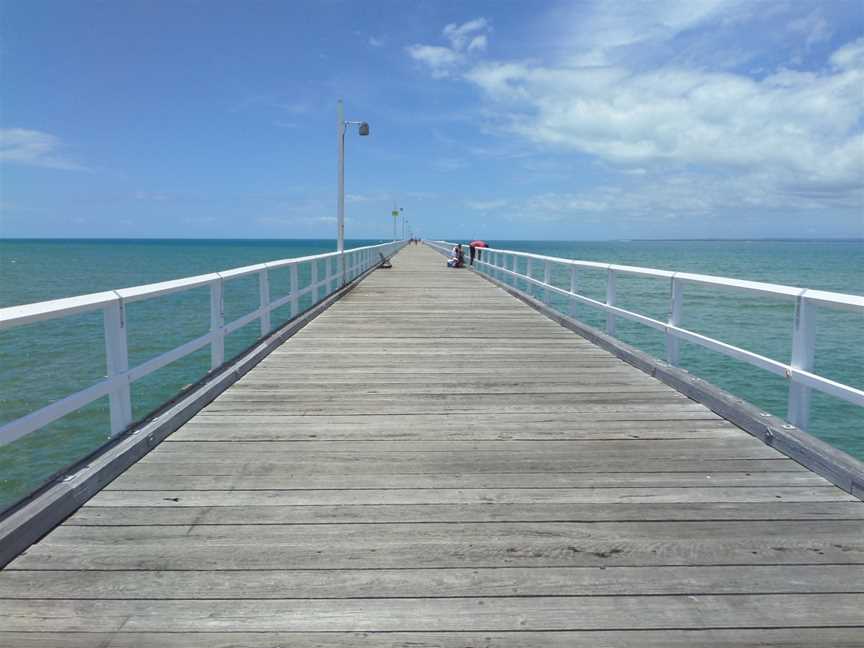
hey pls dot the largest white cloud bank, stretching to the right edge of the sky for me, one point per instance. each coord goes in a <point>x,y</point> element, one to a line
<point>800,124</point>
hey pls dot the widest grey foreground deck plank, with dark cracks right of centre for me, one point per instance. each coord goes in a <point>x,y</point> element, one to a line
<point>434,545</point>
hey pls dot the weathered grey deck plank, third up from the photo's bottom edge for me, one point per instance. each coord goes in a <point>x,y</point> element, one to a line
<point>424,583</point>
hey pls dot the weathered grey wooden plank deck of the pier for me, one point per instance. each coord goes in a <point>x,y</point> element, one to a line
<point>433,463</point>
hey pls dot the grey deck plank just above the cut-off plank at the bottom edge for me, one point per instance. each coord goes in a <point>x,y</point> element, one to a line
<point>419,614</point>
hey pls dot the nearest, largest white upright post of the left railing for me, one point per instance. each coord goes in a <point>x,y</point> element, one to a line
<point>117,364</point>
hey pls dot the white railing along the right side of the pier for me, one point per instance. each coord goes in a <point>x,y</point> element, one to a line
<point>503,263</point>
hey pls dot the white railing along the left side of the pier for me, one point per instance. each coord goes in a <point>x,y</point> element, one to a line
<point>340,269</point>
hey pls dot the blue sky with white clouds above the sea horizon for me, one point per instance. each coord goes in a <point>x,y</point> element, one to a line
<point>520,120</point>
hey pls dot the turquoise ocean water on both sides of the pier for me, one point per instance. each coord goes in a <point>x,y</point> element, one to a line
<point>43,362</point>
